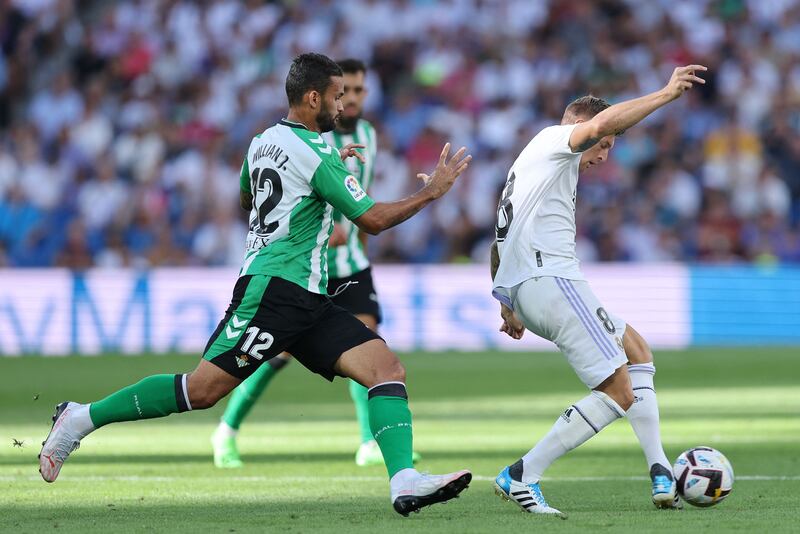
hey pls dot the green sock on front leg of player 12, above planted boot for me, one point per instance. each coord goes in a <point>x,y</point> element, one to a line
<point>390,421</point>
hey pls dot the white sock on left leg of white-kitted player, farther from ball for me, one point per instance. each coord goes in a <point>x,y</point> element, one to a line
<point>577,424</point>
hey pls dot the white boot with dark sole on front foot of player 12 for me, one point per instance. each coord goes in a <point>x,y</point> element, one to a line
<point>412,491</point>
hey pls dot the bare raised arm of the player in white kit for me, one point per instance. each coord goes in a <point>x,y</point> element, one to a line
<point>619,117</point>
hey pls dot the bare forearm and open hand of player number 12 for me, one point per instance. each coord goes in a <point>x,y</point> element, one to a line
<point>384,215</point>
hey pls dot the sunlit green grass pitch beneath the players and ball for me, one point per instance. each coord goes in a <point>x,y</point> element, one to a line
<point>476,411</point>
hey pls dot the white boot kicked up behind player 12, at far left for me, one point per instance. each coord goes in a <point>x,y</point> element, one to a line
<point>69,427</point>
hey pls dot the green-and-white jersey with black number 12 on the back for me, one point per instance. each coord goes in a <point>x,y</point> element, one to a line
<point>296,180</point>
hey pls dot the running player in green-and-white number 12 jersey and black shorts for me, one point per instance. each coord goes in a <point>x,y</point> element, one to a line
<point>292,180</point>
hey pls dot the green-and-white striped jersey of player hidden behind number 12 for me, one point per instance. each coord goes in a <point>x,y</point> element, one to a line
<point>351,258</point>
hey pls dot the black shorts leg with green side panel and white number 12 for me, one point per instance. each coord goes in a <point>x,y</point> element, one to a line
<point>265,316</point>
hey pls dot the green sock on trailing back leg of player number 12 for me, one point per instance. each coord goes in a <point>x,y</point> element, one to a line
<point>154,396</point>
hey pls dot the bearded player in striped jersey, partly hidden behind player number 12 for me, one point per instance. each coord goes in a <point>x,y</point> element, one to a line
<point>350,283</point>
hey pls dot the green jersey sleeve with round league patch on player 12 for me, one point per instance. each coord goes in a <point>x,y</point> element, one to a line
<point>333,182</point>
